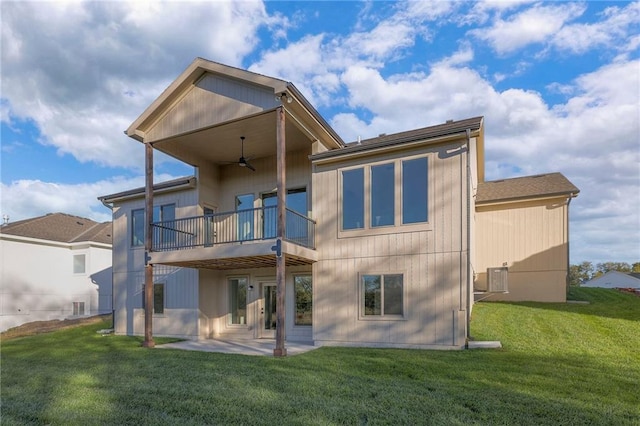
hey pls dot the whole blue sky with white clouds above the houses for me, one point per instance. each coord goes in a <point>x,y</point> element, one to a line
<point>557,82</point>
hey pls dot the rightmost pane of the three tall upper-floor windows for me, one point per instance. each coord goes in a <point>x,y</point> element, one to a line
<point>414,191</point>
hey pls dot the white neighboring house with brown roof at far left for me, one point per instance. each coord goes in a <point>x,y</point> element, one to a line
<point>55,266</point>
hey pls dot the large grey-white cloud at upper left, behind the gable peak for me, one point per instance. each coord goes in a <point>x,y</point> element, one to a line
<point>92,67</point>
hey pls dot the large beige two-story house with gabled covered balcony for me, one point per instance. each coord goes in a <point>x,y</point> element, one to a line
<point>286,232</point>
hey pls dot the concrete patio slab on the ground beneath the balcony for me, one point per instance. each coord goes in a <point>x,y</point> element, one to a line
<point>258,347</point>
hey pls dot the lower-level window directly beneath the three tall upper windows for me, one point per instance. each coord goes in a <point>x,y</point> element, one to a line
<point>382,295</point>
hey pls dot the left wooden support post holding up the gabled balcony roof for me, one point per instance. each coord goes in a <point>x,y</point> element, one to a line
<point>148,267</point>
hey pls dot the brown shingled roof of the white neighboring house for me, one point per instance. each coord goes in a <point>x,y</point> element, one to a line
<point>61,227</point>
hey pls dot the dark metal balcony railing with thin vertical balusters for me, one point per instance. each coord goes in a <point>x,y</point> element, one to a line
<point>231,227</point>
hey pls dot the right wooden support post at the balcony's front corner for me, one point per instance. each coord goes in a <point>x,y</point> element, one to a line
<point>281,188</point>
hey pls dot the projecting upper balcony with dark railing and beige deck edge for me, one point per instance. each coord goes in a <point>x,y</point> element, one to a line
<point>230,240</point>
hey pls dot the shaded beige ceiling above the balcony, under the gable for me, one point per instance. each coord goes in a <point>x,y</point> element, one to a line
<point>221,144</point>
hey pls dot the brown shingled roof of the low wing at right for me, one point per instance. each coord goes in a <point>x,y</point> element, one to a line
<point>527,187</point>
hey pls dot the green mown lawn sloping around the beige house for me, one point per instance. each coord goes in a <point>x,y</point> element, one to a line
<point>561,364</point>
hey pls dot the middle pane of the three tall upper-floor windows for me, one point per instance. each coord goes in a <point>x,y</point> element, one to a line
<point>382,195</point>
